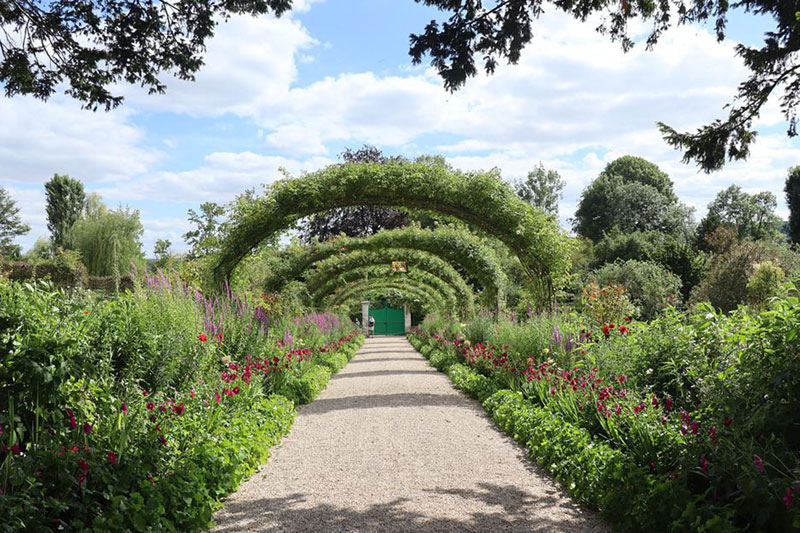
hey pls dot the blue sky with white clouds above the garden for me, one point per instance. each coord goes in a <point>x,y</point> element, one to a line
<point>294,92</point>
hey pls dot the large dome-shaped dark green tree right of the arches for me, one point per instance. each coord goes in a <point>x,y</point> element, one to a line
<point>631,194</point>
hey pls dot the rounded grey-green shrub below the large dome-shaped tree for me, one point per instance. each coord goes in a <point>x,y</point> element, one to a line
<point>650,287</point>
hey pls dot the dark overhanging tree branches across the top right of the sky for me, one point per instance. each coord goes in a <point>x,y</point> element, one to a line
<point>500,30</point>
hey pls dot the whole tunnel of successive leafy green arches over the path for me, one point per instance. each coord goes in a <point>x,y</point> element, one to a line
<point>446,265</point>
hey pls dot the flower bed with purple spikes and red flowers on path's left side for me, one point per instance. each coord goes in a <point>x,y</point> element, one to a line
<point>86,441</point>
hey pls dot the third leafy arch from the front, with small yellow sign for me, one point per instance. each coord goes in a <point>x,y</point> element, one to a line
<point>416,260</point>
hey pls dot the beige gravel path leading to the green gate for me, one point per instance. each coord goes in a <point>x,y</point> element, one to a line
<point>392,446</point>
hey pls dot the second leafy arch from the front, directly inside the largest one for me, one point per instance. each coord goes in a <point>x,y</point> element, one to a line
<point>457,246</point>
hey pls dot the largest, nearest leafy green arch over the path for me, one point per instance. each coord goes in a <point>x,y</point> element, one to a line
<point>480,199</point>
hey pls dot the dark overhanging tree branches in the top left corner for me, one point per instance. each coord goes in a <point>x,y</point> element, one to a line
<point>90,47</point>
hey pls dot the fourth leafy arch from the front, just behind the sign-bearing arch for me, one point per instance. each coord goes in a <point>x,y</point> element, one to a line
<point>454,300</point>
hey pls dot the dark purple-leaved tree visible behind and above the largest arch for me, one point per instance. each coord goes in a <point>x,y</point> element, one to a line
<point>359,221</point>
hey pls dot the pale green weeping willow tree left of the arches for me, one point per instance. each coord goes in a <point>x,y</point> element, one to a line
<point>108,239</point>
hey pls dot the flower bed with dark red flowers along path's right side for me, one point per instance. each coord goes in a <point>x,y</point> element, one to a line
<point>680,445</point>
